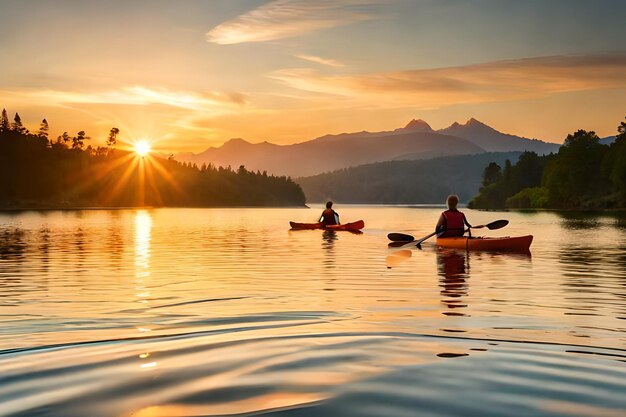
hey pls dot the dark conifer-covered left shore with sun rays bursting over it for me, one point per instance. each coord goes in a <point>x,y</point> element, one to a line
<point>37,172</point>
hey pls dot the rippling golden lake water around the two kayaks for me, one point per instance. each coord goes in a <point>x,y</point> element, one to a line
<point>211,312</point>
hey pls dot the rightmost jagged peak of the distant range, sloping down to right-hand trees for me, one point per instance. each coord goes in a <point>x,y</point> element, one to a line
<point>493,141</point>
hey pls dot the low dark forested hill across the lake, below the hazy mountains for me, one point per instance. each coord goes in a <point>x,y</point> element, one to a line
<point>404,182</point>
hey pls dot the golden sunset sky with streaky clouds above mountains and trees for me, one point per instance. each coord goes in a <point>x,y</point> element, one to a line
<point>187,75</point>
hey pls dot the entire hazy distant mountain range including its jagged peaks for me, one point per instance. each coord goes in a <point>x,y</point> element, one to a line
<point>415,141</point>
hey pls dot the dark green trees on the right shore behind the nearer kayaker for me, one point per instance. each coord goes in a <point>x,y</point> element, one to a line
<point>584,174</point>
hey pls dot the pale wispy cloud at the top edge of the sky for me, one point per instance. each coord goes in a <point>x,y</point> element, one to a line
<point>287,18</point>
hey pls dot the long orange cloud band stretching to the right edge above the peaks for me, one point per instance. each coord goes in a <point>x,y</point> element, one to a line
<point>489,82</point>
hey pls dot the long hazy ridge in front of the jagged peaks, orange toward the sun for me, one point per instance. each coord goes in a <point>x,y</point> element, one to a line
<point>332,152</point>
